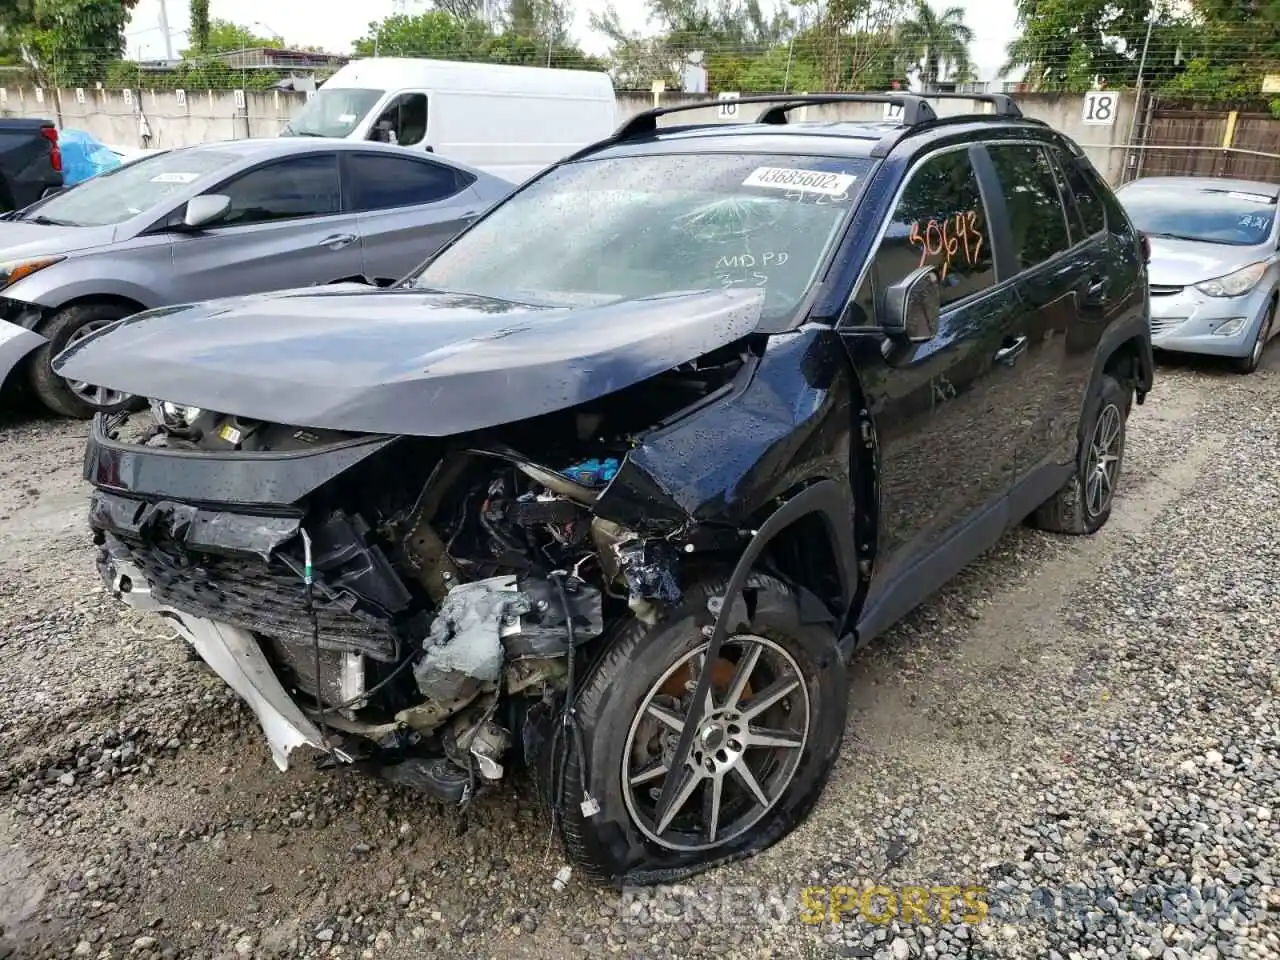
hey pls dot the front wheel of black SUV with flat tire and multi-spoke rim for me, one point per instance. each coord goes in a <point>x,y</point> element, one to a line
<point>766,746</point>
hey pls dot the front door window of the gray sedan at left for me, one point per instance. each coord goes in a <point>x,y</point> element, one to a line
<point>303,186</point>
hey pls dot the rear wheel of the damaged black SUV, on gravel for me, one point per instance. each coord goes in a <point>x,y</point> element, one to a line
<point>1084,504</point>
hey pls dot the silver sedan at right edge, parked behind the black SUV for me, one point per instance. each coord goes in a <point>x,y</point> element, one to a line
<point>1215,272</point>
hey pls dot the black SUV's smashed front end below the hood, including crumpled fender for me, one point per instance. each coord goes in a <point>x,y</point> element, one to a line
<point>454,583</point>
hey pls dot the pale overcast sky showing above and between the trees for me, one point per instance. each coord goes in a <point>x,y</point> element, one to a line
<point>335,25</point>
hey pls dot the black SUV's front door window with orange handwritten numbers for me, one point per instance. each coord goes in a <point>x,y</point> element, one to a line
<point>940,221</point>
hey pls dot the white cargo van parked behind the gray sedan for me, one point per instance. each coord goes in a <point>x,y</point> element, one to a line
<point>509,121</point>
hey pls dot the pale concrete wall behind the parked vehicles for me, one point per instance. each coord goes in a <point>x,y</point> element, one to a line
<point>205,116</point>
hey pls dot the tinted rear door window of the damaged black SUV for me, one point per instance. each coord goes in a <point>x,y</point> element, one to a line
<point>1036,212</point>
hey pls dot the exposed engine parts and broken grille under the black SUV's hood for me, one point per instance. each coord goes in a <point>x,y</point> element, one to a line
<point>419,606</point>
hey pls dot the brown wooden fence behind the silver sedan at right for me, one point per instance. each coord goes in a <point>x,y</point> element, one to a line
<point>1178,140</point>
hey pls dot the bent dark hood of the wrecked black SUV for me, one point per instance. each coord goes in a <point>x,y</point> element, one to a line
<point>414,363</point>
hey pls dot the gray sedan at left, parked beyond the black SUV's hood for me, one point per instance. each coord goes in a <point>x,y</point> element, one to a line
<point>216,221</point>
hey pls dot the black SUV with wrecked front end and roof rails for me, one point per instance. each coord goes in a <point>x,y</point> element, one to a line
<point>616,483</point>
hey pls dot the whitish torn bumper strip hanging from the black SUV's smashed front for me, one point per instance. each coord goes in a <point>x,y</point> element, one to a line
<point>236,657</point>
